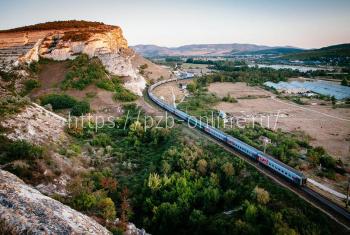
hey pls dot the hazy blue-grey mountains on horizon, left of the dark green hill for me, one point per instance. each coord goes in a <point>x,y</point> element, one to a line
<point>196,49</point>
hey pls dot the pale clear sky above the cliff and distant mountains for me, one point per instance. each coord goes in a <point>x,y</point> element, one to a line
<point>299,23</point>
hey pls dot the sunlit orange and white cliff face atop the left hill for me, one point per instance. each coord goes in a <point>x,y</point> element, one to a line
<point>104,41</point>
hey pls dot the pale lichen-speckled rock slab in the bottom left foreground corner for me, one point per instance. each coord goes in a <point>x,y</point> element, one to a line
<point>24,210</point>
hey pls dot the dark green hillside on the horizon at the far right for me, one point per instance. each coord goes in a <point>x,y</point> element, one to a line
<point>335,51</point>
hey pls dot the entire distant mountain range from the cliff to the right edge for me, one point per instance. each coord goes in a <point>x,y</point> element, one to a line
<point>287,52</point>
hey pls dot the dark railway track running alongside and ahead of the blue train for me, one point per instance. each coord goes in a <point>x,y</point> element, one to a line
<point>332,210</point>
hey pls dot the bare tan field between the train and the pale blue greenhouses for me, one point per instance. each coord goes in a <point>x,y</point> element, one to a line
<point>326,126</point>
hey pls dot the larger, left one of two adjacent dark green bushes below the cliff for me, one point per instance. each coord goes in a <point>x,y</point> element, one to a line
<point>58,101</point>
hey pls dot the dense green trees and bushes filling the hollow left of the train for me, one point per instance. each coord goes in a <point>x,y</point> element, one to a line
<point>168,182</point>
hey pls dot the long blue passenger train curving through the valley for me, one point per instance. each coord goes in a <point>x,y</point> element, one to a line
<point>289,173</point>
